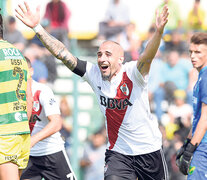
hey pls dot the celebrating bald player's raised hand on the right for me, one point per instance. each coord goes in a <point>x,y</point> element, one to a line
<point>161,19</point>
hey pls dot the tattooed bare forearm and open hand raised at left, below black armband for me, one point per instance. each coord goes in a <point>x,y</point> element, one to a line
<point>57,48</point>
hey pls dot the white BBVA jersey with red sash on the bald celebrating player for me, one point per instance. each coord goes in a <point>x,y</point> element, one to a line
<point>131,129</point>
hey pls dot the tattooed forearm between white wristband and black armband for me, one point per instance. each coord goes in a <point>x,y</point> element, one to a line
<point>57,48</point>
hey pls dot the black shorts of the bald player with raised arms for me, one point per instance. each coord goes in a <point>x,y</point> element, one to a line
<point>150,166</point>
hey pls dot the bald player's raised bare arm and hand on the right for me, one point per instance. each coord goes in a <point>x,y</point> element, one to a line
<point>145,60</point>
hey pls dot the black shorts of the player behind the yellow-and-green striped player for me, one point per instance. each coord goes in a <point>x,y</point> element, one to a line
<point>50,167</point>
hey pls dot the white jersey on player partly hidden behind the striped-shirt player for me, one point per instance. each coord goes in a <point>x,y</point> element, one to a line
<point>44,105</point>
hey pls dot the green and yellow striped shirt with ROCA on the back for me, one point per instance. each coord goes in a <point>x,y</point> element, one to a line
<point>13,84</point>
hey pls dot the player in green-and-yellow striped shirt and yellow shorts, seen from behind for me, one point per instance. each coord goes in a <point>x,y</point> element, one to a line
<point>15,109</point>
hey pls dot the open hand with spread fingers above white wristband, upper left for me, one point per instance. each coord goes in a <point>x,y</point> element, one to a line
<point>27,16</point>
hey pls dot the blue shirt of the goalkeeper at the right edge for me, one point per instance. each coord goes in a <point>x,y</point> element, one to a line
<point>199,97</point>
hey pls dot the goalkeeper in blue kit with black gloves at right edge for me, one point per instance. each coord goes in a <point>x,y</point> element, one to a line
<point>192,157</point>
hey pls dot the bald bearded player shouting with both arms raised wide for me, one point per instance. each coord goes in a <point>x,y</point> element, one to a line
<point>134,147</point>
